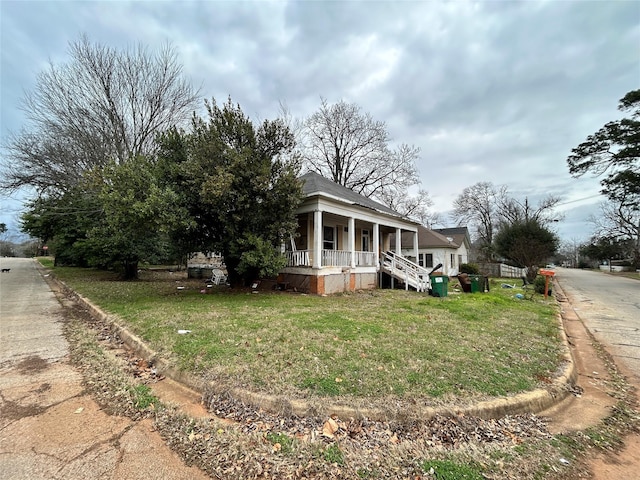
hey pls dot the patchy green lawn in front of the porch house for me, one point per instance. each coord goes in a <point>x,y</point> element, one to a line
<point>372,345</point>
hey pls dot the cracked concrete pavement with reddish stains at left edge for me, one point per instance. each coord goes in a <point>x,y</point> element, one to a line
<point>49,427</point>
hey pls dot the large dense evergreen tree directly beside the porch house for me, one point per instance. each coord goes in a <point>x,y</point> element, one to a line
<point>239,184</point>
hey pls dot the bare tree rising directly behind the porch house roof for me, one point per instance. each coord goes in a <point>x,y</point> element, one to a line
<point>342,143</point>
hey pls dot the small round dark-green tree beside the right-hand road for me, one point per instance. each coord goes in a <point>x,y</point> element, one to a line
<point>526,243</point>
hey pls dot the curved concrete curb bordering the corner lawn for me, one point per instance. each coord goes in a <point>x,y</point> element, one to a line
<point>534,402</point>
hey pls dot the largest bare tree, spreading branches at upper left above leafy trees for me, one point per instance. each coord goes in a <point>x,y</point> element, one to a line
<point>104,104</point>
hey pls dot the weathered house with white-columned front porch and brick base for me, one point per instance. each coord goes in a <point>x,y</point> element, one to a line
<point>340,239</point>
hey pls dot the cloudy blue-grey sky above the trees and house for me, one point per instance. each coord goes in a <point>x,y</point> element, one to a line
<point>496,91</point>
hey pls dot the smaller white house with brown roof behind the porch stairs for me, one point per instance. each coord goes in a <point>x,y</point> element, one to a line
<point>448,246</point>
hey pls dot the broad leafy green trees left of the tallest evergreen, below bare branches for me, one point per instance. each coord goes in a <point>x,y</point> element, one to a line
<point>115,218</point>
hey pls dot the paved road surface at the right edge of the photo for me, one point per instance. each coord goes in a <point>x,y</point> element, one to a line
<point>609,306</point>
